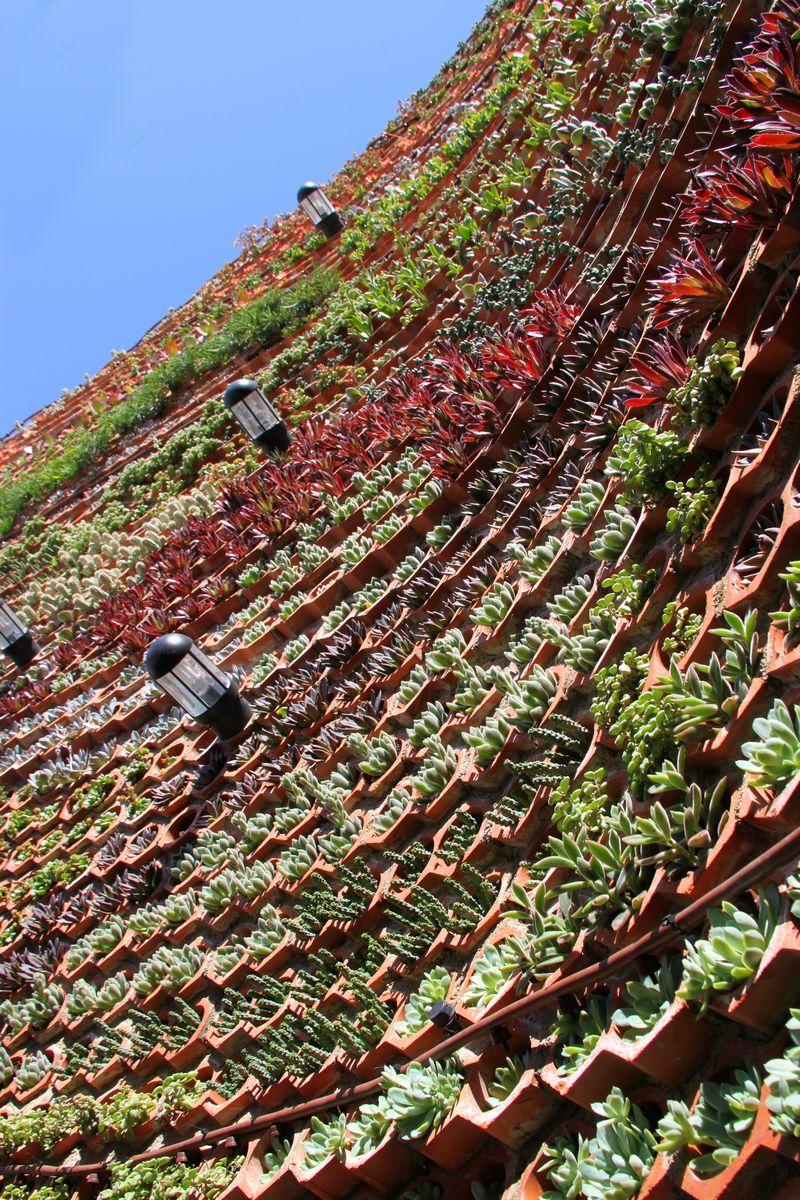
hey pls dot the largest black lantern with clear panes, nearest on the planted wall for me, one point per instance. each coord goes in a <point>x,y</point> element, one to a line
<point>190,679</point>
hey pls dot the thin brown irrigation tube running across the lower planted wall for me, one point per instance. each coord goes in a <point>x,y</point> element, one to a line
<point>580,981</point>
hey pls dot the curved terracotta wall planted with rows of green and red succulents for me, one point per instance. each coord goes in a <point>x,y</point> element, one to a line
<point>497,892</point>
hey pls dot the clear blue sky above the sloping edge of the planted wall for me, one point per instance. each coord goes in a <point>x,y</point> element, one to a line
<point>139,137</point>
